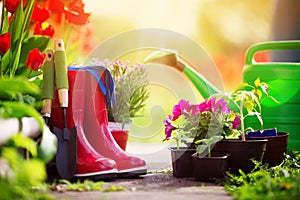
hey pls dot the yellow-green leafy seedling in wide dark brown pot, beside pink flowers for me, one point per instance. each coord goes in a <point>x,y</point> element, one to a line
<point>247,103</point>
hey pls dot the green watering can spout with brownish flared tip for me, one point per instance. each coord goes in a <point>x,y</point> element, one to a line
<point>169,57</point>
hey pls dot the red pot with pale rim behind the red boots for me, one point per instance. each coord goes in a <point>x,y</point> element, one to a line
<point>120,133</point>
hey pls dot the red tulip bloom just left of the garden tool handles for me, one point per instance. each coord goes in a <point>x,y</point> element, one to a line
<point>35,59</point>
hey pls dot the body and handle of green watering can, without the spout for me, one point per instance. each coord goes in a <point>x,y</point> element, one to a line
<point>284,80</point>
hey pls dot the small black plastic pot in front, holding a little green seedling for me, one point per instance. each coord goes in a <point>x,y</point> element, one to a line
<point>210,168</point>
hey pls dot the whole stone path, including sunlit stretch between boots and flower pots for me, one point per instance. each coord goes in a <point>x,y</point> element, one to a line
<point>154,185</point>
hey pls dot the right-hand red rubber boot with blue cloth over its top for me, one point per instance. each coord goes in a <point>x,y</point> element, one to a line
<point>96,125</point>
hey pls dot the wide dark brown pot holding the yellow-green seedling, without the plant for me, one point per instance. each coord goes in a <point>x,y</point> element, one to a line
<point>242,152</point>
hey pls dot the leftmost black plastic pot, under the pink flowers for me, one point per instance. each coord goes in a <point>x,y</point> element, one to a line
<point>182,162</point>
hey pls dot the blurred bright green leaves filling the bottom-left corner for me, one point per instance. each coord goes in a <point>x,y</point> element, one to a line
<point>22,178</point>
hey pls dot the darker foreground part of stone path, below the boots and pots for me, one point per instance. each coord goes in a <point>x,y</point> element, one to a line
<point>154,186</point>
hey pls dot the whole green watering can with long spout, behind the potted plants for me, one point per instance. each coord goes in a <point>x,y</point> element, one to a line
<point>283,78</point>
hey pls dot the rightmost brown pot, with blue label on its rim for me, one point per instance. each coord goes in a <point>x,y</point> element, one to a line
<point>276,148</point>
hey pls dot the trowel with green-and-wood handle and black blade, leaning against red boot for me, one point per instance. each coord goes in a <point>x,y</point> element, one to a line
<point>66,155</point>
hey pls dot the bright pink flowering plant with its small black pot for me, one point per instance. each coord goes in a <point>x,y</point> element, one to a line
<point>198,124</point>
